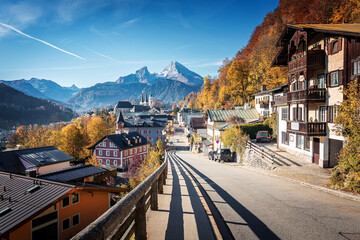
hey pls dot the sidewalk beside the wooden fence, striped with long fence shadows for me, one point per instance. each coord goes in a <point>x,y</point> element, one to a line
<point>182,213</point>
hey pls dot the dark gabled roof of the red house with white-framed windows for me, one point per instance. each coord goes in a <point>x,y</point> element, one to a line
<point>121,140</point>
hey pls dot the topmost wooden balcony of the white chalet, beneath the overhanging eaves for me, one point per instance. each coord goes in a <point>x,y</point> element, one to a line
<point>314,59</point>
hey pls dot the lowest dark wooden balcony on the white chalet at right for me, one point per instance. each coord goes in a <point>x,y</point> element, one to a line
<point>307,128</point>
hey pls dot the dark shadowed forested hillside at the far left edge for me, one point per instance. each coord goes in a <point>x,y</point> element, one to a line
<point>17,108</point>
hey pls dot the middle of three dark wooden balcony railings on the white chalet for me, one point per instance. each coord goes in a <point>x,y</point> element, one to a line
<point>317,95</point>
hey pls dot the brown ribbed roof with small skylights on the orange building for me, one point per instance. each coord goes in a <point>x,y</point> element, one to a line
<point>21,198</point>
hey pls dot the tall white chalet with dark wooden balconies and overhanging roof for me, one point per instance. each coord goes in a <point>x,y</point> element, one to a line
<point>318,70</point>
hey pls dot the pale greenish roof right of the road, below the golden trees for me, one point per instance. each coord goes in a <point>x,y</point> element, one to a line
<point>221,115</point>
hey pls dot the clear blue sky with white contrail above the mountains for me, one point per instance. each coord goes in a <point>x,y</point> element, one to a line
<point>84,42</point>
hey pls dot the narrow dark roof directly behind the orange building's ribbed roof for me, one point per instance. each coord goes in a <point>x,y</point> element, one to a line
<point>72,174</point>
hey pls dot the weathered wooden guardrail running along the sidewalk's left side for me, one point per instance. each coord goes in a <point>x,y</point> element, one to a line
<point>128,216</point>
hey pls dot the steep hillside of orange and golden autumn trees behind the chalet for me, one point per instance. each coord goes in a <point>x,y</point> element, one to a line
<point>243,75</point>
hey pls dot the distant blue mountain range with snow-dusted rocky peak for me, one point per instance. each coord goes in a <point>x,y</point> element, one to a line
<point>170,85</point>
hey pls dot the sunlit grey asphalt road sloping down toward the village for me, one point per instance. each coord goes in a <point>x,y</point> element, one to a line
<point>258,206</point>
